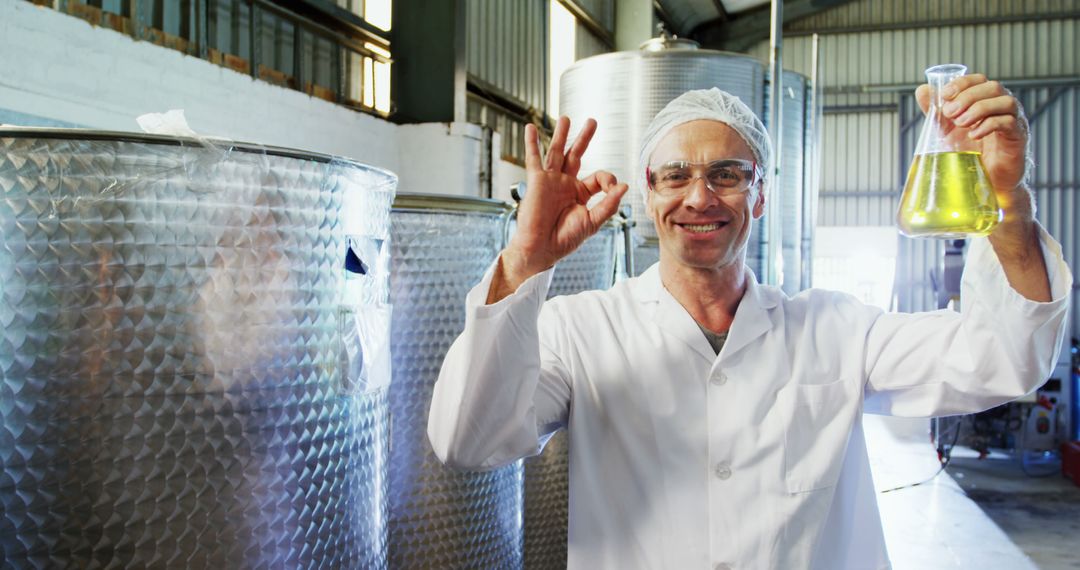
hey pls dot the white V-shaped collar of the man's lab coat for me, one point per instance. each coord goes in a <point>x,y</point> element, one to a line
<point>752,318</point>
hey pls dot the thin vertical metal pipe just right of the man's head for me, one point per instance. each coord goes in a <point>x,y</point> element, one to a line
<point>774,228</point>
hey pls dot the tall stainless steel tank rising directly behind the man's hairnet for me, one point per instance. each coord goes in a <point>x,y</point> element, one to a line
<point>624,91</point>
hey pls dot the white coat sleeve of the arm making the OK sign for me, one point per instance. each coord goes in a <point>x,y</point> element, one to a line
<point>503,390</point>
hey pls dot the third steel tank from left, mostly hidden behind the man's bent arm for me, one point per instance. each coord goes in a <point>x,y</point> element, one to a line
<point>547,477</point>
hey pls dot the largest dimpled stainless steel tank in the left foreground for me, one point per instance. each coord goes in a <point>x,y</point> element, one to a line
<point>174,387</point>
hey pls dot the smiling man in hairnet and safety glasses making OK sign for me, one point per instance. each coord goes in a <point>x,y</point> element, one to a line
<point>713,422</point>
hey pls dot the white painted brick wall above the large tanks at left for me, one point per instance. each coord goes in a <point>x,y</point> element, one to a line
<point>57,70</point>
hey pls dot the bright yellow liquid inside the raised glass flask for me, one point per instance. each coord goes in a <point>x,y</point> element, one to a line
<point>948,195</point>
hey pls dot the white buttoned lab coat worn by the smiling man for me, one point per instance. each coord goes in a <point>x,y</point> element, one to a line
<point>755,459</point>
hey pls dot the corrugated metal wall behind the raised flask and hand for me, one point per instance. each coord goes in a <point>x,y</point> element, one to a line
<point>868,73</point>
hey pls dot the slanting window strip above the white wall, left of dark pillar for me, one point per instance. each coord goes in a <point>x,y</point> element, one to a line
<point>337,51</point>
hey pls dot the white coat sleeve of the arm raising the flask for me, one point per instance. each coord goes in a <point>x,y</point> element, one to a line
<point>1001,347</point>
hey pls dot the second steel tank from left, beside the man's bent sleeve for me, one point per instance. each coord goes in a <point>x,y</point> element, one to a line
<point>441,518</point>
